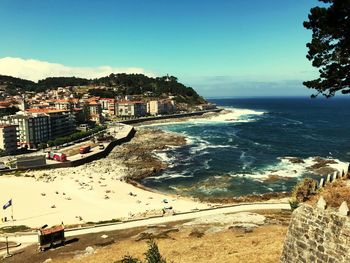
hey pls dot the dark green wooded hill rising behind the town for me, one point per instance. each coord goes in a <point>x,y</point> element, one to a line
<point>112,85</point>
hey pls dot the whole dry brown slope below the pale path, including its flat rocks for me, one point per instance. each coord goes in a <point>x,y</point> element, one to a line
<point>213,239</point>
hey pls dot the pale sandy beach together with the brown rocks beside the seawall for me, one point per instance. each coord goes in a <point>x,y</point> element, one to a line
<point>97,191</point>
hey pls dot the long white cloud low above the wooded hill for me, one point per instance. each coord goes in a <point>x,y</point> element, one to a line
<point>35,69</point>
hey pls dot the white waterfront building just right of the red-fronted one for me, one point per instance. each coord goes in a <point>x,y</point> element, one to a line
<point>130,108</point>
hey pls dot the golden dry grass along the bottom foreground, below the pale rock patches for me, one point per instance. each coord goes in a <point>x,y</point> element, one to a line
<point>264,244</point>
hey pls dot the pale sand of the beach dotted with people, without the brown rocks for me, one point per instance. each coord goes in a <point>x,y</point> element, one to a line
<point>78,195</point>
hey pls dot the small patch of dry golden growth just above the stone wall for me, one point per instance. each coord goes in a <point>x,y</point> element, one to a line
<point>334,193</point>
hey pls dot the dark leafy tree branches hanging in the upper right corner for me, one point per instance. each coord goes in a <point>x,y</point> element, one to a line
<point>329,49</point>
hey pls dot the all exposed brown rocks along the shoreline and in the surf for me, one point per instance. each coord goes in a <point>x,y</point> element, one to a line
<point>138,158</point>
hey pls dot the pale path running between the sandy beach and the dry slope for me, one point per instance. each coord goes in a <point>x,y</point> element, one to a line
<point>32,238</point>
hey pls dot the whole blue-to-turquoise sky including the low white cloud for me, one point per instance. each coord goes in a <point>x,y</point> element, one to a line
<point>234,48</point>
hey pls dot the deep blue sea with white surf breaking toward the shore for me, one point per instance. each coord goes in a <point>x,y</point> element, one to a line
<point>244,152</point>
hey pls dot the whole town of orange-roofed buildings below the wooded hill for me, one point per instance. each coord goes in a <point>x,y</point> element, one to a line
<point>32,119</point>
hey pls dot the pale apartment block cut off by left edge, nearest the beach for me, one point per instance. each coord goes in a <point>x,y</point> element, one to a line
<point>8,138</point>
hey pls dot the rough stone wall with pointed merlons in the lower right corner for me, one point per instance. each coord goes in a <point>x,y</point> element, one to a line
<point>317,234</point>
